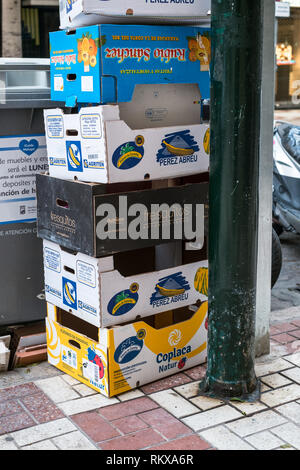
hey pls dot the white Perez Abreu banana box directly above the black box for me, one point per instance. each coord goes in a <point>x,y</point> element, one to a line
<point>108,144</point>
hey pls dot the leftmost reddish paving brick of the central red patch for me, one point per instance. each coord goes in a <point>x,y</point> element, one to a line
<point>96,427</point>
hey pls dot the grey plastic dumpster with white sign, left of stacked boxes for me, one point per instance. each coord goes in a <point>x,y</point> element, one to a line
<point>24,92</point>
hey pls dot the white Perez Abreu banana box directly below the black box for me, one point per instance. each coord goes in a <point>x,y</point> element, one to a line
<point>120,288</point>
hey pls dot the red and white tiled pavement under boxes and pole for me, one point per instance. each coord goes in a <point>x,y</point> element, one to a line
<point>41,408</point>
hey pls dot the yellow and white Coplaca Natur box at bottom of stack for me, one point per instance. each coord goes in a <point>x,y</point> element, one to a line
<point>116,360</point>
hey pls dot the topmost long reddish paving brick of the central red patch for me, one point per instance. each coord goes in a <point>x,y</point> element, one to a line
<point>129,408</point>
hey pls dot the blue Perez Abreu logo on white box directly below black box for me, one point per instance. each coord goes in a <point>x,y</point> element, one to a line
<point>173,287</point>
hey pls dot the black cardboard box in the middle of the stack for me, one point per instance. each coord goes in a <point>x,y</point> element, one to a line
<point>100,220</point>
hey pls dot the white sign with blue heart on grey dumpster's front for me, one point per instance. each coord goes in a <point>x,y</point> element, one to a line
<point>21,157</point>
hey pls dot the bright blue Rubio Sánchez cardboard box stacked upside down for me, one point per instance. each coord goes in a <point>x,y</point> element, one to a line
<point>102,64</point>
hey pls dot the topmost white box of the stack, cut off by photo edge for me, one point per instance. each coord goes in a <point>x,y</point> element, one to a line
<point>74,13</point>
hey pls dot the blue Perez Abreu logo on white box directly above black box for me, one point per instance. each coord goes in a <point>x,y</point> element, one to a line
<point>180,145</point>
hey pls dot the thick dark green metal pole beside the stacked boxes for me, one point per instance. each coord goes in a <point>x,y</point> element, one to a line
<point>235,133</point>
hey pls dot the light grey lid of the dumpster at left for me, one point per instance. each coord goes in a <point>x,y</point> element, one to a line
<point>25,83</point>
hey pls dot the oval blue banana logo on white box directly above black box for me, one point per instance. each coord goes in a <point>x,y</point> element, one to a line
<point>129,155</point>
